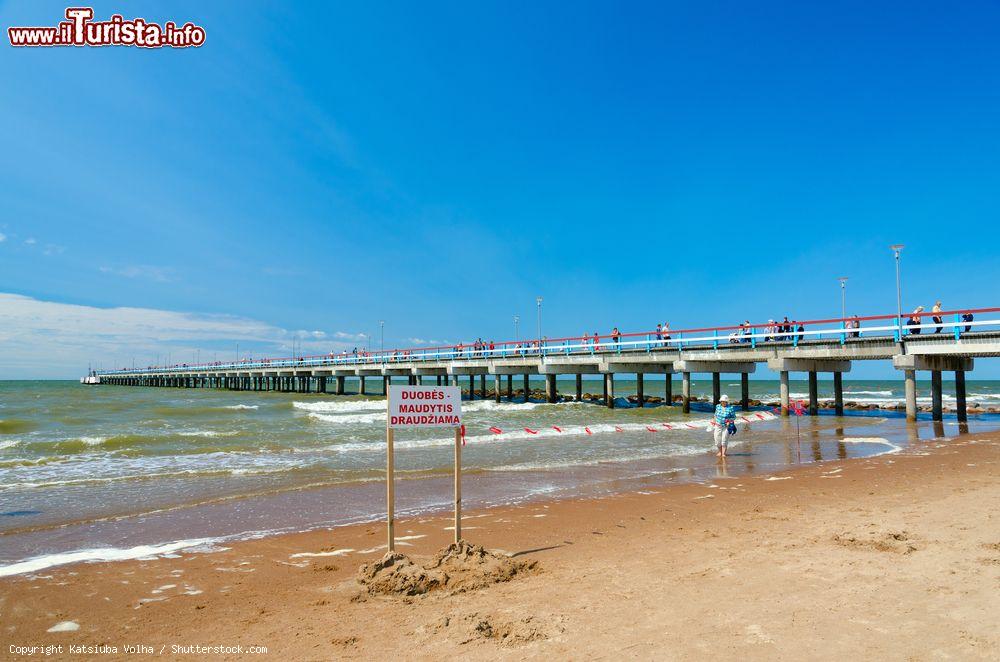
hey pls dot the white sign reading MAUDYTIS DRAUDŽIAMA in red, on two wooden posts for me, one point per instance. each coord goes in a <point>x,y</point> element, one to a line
<point>422,407</point>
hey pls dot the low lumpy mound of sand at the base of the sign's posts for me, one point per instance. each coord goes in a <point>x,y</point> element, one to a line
<point>457,568</point>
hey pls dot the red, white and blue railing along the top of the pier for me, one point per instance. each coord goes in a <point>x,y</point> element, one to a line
<point>954,324</point>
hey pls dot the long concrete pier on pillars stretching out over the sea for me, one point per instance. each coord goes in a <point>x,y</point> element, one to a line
<point>691,352</point>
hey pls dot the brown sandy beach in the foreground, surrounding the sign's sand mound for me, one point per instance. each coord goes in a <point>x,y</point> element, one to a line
<point>893,557</point>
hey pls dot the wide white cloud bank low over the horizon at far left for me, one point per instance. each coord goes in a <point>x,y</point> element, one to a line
<point>45,339</point>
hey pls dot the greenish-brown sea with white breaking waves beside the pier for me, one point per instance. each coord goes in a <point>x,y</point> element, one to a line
<point>99,473</point>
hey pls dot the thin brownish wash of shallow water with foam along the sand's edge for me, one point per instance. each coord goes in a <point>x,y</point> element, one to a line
<point>540,485</point>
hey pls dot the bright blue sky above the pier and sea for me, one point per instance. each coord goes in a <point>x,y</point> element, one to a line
<point>316,168</point>
